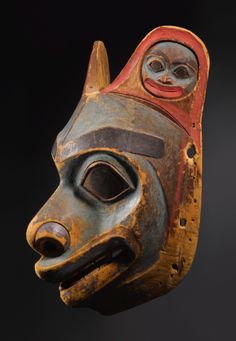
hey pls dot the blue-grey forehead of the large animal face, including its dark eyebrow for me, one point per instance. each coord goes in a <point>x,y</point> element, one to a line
<point>116,122</point>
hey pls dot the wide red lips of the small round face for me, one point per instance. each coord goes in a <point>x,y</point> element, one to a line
<point>168,91</point>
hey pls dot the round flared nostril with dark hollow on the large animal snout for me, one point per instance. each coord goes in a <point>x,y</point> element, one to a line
<point>51,240</point>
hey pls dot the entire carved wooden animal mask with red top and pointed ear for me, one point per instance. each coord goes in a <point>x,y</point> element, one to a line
<point>122,227</point>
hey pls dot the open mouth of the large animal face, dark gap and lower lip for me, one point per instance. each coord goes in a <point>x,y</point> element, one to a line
<point>95,269</point>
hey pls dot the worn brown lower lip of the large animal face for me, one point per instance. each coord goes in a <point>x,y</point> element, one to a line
<point>90,284</point>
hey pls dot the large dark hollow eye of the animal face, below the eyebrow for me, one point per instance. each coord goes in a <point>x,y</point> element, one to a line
<point>105,182</point>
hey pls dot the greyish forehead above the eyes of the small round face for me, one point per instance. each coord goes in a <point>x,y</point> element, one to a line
<point>173,52</point>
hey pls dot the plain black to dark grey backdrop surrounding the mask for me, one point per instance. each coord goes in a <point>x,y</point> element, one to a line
<point>45,49</point>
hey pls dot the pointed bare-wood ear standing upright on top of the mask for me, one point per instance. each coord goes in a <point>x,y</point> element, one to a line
<point>98,74</point>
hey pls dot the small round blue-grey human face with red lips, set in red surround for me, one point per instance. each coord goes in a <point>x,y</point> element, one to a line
<point>169,70</point>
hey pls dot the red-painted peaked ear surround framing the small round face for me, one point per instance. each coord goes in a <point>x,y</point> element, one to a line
<point>186,111</point>
